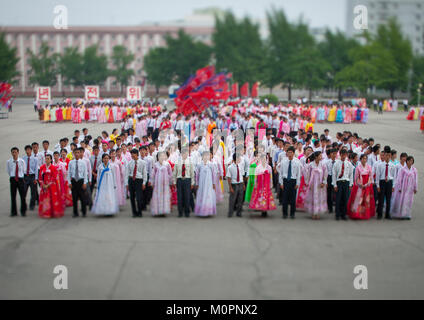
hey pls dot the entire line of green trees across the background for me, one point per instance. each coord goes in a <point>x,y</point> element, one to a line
<point>290,57</point>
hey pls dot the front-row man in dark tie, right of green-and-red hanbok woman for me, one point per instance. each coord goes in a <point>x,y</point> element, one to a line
<point>289,178</point>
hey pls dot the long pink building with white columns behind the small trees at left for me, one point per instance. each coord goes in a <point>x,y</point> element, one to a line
<point>137,39</point>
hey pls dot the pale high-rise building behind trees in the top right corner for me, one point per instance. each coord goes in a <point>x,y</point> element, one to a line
<point>409,14</point>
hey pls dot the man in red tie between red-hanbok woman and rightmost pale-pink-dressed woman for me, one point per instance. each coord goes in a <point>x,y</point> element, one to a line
<point>384,175</point>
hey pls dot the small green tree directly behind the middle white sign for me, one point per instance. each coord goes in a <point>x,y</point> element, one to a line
<point>94,67</point>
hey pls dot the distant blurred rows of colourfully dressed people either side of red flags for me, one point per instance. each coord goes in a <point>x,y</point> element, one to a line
<point>111,111</point>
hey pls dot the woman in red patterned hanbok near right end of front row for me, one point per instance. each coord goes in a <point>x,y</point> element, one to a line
<point>361,203</point>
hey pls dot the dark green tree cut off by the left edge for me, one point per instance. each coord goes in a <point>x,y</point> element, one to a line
<point>8,62</point>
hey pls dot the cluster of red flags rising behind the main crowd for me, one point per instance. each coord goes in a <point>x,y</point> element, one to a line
<point>202,90</point>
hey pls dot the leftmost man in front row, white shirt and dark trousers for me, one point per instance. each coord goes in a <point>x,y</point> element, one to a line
<point>15,168</point>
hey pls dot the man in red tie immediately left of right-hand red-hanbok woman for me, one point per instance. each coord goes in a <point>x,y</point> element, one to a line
<point>342,180</point>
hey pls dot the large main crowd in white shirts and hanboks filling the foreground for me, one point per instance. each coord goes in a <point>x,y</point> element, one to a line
<point>260,157</point>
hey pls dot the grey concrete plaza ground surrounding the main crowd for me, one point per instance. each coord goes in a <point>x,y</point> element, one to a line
<point>213,258</point>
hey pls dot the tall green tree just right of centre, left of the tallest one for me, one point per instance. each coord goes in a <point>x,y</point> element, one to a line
<point>238,47</point>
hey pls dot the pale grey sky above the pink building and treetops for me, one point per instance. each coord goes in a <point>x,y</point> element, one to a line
<point>318,13</point>
